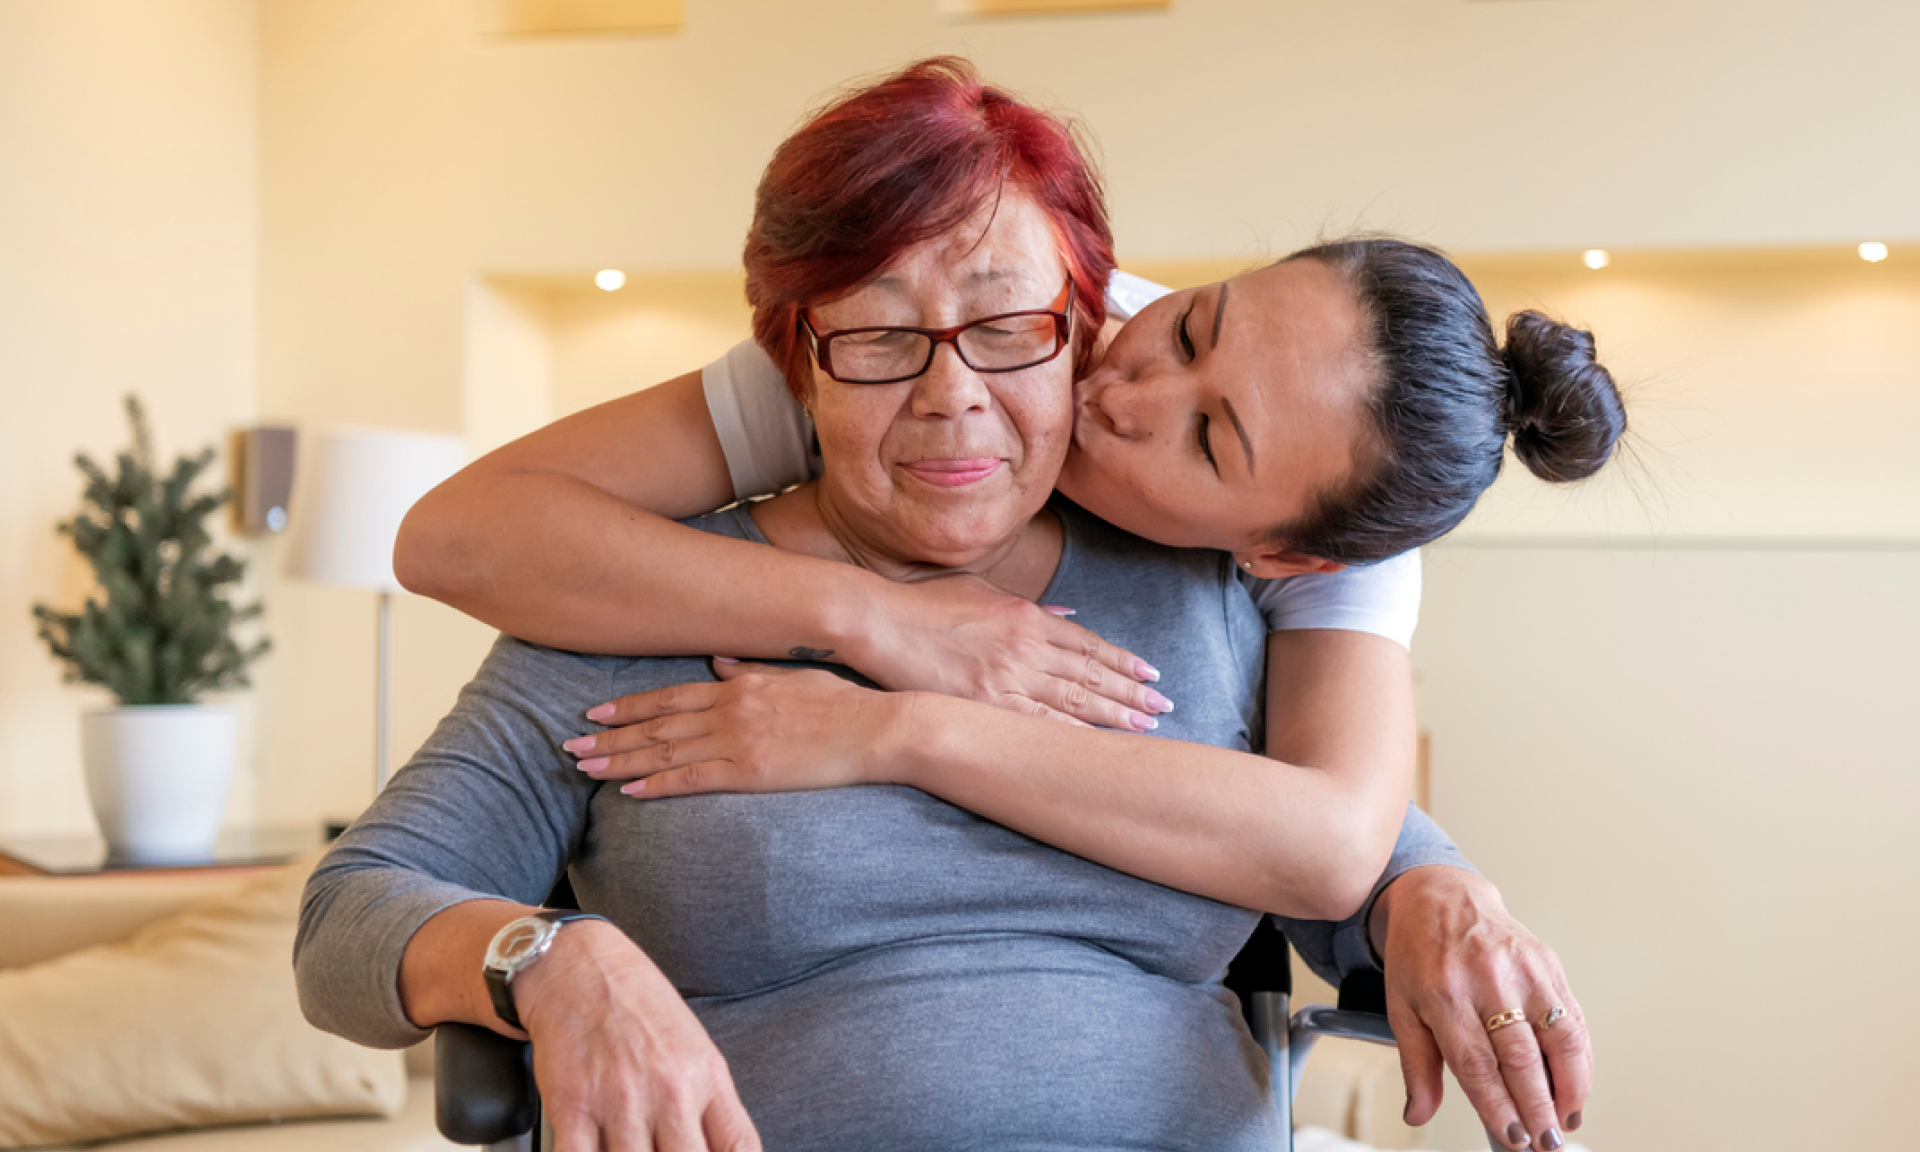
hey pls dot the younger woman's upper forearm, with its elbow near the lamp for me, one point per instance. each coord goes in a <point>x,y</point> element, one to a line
<point>617,579</point>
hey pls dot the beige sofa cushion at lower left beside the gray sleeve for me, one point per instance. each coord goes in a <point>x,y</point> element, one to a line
<point>189,1022</point>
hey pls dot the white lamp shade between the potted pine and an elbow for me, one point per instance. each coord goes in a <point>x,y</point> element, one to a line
<point>356,485</point>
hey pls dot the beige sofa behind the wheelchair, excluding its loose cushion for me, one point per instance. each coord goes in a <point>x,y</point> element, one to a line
<point>1351,1090</point>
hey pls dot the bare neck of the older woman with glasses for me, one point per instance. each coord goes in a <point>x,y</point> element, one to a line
<point>805,523</point>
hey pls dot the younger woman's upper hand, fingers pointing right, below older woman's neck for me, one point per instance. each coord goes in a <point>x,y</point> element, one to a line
<point>967,638</point>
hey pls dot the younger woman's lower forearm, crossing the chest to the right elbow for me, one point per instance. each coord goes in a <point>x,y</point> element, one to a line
<point>1222,825</point>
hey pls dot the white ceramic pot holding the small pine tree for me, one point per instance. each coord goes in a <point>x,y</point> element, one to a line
<point>158,779</point>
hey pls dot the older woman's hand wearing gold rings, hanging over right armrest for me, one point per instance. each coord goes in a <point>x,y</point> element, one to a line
<point>1454,957</point>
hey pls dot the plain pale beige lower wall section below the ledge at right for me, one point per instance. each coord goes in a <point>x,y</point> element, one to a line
<point>1692,775</point>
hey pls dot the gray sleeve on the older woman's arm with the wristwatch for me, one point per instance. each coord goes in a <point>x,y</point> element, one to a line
<point>489,807</point>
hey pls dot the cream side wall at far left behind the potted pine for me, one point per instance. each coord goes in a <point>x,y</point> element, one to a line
<point>128,264</point>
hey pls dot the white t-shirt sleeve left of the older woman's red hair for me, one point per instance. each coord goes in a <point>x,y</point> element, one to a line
<point>765,433</point>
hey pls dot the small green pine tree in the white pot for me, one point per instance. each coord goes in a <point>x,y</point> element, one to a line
<point>160,629</point>
